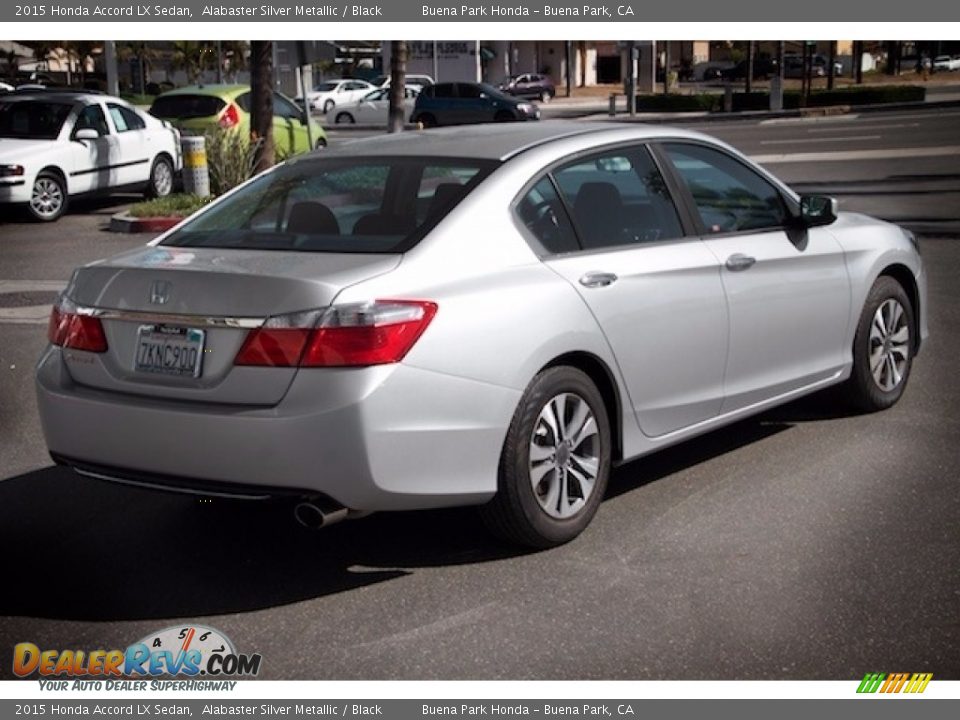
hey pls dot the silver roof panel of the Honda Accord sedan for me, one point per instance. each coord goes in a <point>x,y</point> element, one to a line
<point>495,141</point>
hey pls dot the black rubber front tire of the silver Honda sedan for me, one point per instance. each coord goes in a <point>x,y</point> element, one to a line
<point>864,390</point>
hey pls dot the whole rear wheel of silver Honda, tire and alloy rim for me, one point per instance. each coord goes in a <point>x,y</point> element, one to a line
<point>555,462</point>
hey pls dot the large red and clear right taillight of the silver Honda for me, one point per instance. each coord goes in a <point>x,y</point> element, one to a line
<point>354,335</point>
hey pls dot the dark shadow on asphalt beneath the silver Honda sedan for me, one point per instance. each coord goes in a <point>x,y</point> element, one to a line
<point>84,549</point>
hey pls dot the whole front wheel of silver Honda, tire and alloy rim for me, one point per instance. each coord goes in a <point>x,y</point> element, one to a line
<point>882,348</point>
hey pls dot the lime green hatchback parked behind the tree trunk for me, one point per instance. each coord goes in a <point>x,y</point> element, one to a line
<point>199,108</point>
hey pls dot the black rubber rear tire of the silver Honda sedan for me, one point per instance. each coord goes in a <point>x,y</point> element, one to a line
<point>516,514</point>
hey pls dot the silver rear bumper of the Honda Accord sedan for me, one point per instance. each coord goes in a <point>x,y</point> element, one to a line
<point>383,438</point>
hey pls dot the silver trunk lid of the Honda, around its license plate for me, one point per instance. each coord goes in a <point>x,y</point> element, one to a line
<point>147,296</point>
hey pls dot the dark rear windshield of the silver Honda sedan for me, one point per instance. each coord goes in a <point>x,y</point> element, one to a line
<point>363,205</point>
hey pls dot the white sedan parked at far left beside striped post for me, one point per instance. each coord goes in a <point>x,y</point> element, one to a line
<point>57,145</point>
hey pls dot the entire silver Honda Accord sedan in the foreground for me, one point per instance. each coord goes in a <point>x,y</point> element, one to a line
<point>491,317</point>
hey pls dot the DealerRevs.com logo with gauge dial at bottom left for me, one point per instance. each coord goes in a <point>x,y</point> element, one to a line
<point>178,651</point>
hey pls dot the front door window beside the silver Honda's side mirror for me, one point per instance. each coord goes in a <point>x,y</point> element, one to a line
<point>730,197</point>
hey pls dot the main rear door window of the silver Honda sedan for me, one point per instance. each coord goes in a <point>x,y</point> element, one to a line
<point>618,198</point>
